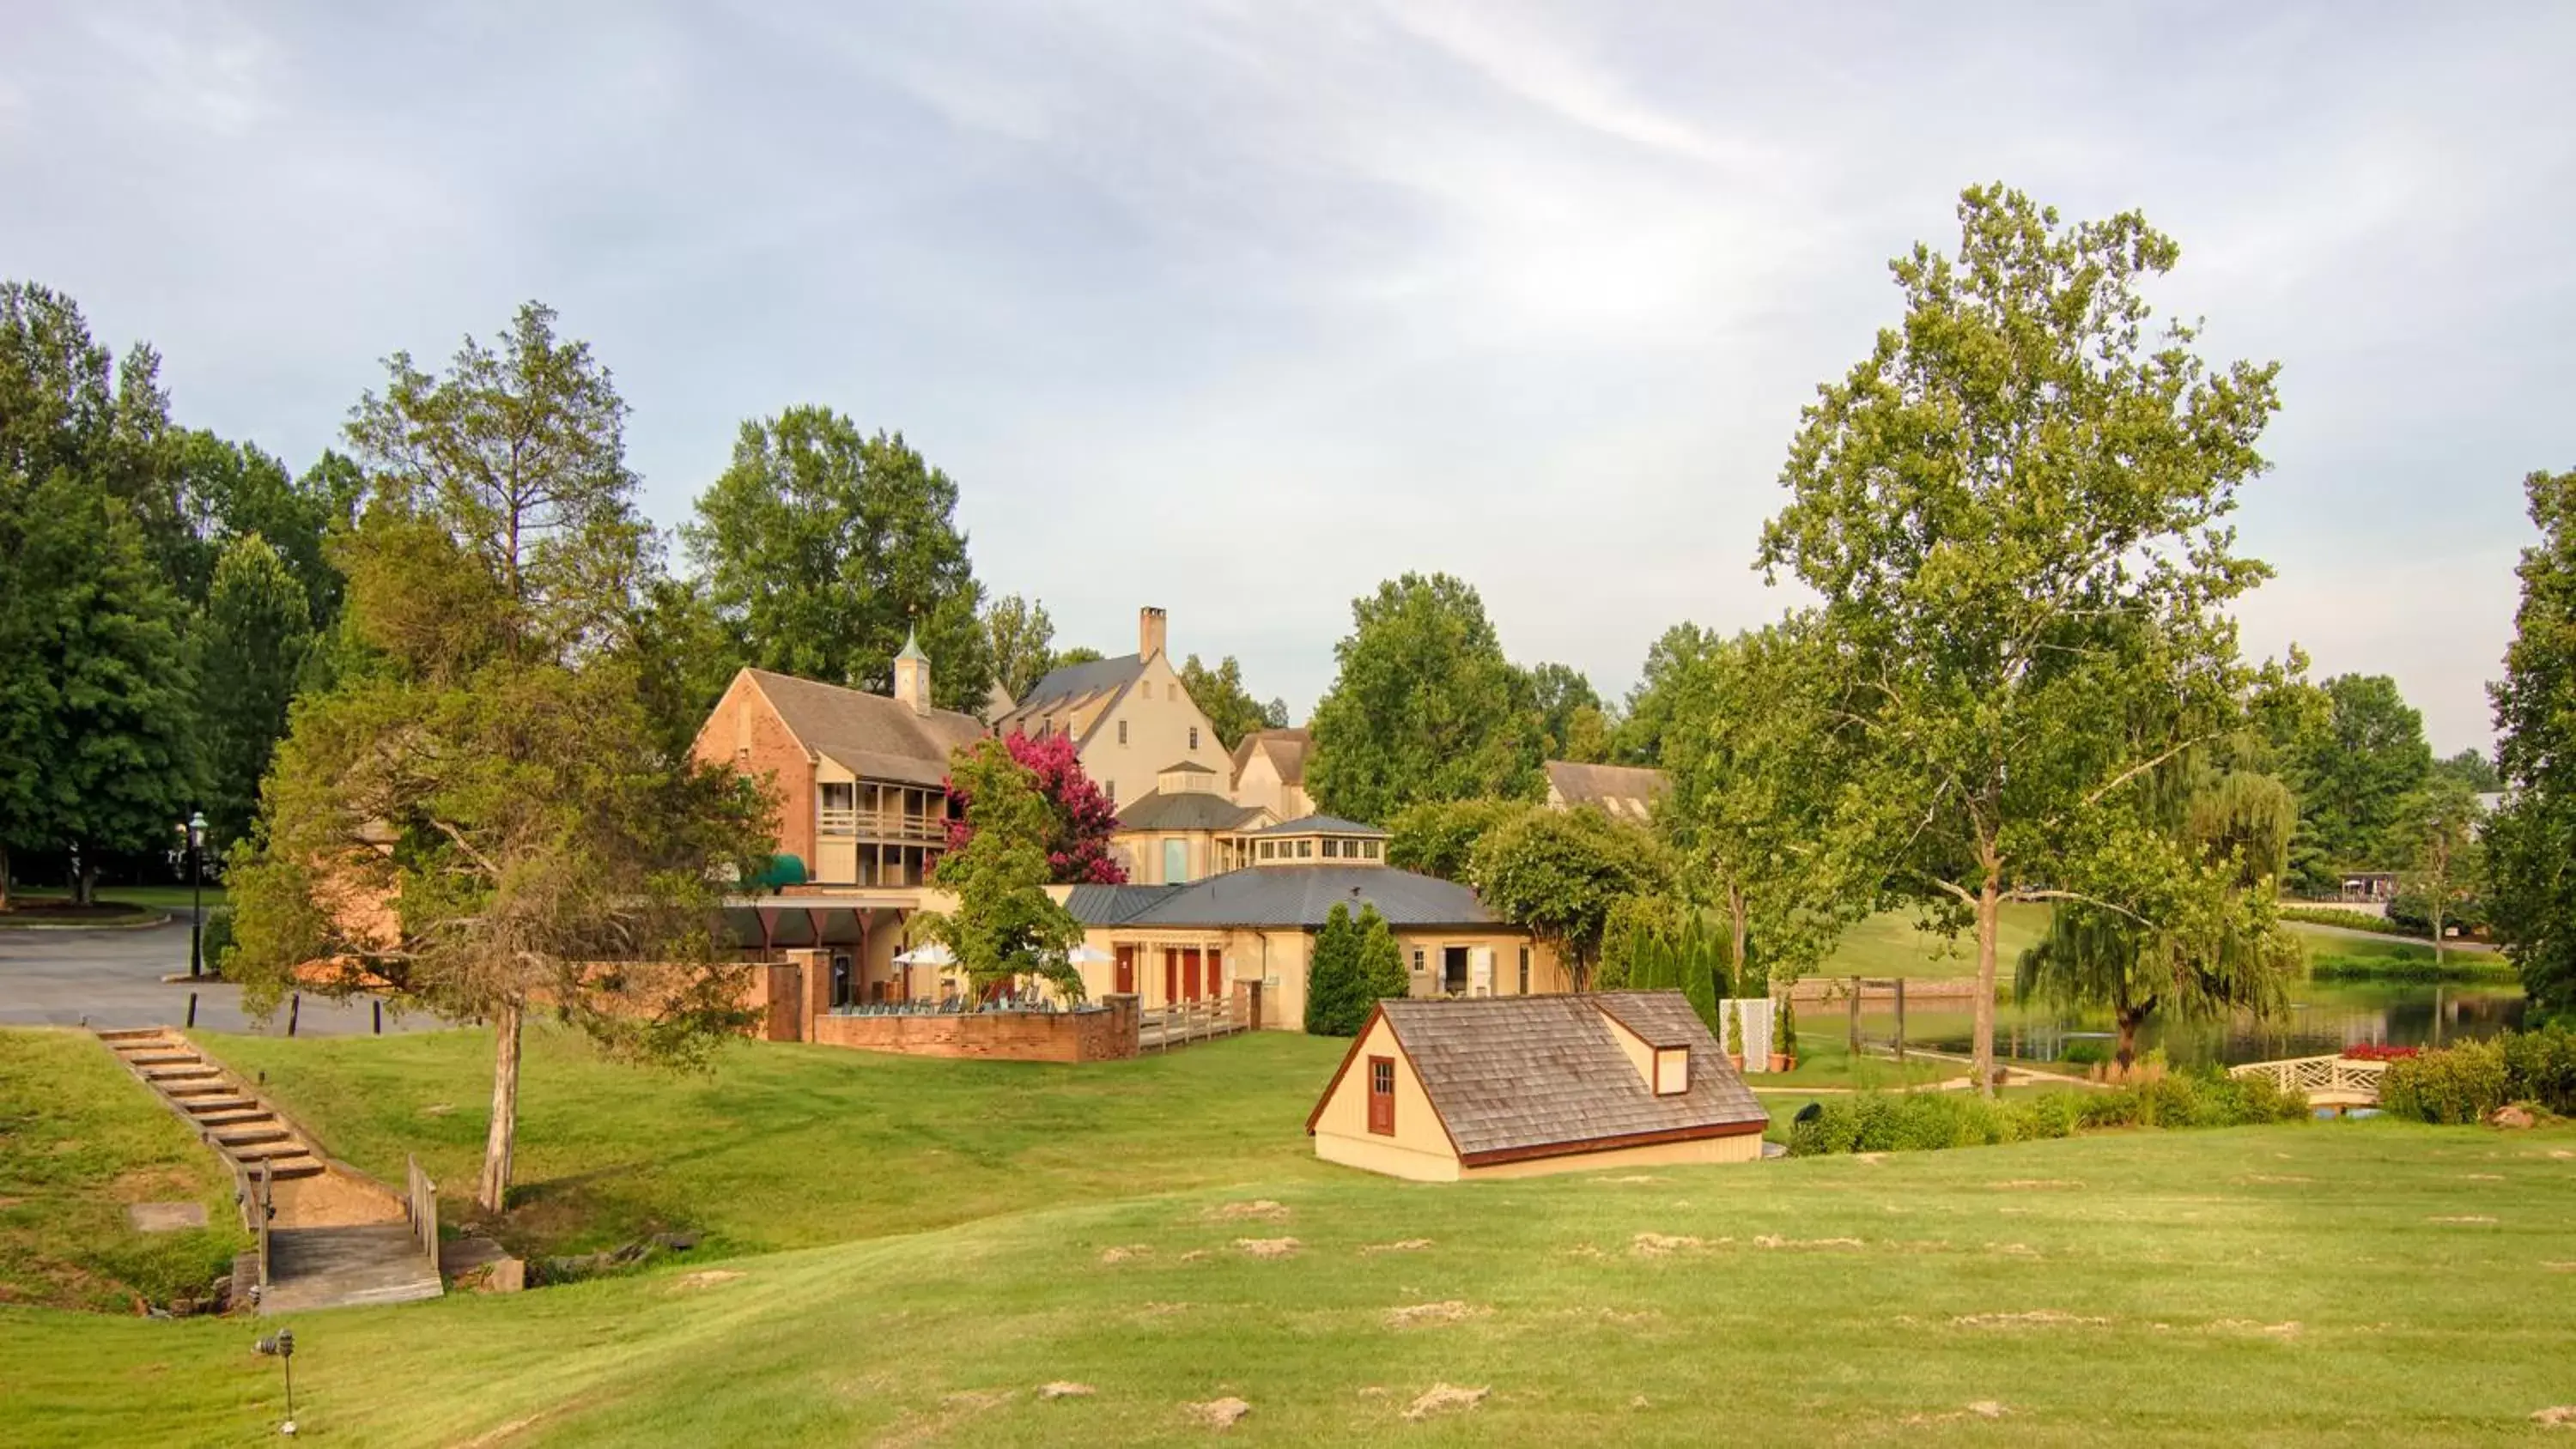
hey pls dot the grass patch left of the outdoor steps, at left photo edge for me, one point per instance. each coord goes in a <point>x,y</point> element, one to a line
<point>79,1141</point>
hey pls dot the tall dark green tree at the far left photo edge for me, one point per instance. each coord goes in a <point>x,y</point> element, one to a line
<point>94,681</point>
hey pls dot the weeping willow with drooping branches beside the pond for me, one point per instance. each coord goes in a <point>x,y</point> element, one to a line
<point>2211,938</point>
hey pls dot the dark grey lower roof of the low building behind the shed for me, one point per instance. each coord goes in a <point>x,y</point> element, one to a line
<point>1284,897</point>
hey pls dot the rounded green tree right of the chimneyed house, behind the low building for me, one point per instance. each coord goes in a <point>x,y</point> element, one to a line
<point>1426,706</point>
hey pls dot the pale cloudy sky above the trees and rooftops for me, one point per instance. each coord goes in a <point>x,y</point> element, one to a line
<point>1240,308</point>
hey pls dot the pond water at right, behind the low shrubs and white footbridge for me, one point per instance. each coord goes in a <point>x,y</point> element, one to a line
<point>2322,1018</point>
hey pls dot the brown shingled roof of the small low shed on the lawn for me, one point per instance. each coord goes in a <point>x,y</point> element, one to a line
<point>1521,1077</point>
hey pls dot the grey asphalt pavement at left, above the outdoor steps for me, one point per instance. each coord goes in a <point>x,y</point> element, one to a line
<point>115,979</point>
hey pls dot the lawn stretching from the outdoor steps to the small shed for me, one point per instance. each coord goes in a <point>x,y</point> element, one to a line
<point>790,1147</point>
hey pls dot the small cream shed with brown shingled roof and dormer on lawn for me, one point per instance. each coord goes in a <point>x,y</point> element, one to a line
<point>1449,1090</point>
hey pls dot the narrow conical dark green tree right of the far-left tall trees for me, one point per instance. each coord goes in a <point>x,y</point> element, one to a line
<point>251,652</point>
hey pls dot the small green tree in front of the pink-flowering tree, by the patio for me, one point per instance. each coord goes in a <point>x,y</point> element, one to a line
<point>1003,925</point>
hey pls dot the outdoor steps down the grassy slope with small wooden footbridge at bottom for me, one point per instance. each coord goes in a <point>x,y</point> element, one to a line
<point>336,1237</point>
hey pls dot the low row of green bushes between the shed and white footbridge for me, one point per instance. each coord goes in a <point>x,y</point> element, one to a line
<point>1928,1121</point>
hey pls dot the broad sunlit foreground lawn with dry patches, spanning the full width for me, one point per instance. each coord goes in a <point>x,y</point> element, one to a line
<point>2361,1283</point>
